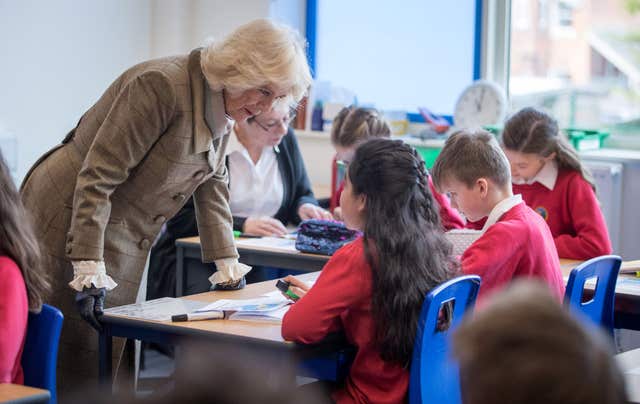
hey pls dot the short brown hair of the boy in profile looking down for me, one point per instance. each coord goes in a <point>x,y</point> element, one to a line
<point>469,155</point>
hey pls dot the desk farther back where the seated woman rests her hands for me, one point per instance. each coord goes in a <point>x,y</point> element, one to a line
<point>188,253</point>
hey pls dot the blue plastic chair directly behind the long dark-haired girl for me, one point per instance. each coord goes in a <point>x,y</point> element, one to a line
<point>434,375</point>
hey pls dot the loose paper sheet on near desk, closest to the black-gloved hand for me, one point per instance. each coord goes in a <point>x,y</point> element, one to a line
<point>157,310</point>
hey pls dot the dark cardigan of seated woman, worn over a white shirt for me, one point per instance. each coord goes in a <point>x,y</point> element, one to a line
<point>297,191</point>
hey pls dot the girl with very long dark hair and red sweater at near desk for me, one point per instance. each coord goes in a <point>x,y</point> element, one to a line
<point>373,288</point>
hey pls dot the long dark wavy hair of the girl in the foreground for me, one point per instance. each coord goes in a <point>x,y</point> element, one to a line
<point>403,240</point>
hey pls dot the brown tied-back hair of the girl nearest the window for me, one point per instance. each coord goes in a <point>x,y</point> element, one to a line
<point>531,130</point>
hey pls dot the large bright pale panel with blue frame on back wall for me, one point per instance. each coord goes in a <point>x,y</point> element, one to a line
<point>398,56</point>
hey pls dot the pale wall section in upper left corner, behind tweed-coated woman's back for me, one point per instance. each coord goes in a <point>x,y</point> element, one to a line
<point>57,58</point>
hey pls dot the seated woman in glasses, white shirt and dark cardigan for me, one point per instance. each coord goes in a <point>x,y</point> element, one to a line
<point>268,188</point>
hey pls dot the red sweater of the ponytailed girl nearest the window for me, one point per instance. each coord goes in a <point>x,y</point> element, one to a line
<point>572,213</point>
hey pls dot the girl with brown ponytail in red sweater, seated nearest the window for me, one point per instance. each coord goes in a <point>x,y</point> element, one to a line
<point>547,172</point>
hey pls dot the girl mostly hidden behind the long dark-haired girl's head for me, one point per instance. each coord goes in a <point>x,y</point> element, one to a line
<point>350,128</point>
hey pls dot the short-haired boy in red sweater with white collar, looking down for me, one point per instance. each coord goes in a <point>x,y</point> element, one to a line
<point>515,240</point>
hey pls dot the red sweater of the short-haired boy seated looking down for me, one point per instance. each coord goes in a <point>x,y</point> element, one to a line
<point>519,244</point>
